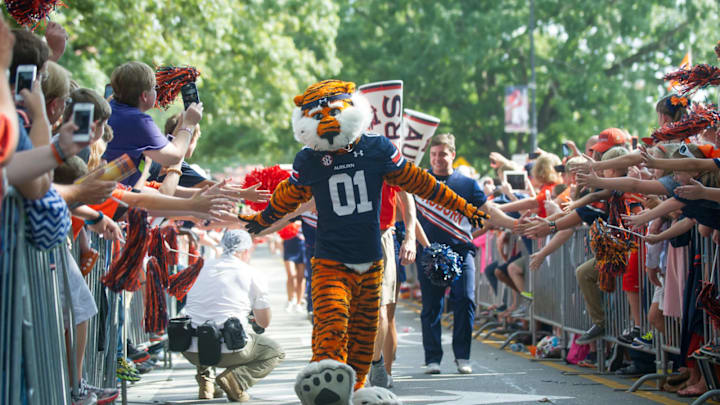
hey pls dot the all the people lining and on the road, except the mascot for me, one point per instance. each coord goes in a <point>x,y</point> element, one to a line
<point>664,192</point>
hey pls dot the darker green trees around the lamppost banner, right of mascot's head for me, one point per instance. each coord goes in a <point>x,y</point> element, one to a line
<point>599,63</point>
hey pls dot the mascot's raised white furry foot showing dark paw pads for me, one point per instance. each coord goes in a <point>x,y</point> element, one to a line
<point>326,382</point>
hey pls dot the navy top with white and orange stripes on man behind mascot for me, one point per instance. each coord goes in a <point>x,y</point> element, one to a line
<point>443,225</point>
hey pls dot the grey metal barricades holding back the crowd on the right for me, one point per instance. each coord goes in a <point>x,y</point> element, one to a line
<point>559,302</point>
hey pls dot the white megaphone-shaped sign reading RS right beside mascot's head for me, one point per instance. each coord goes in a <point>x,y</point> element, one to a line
<point>386,101</point>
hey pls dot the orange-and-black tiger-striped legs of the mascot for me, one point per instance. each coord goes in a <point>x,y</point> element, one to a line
<point>345,314</point>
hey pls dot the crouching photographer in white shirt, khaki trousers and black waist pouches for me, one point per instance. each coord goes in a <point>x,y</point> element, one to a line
<point>216,332</point>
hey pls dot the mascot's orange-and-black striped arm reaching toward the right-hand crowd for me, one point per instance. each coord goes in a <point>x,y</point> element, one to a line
<point>417,181</point>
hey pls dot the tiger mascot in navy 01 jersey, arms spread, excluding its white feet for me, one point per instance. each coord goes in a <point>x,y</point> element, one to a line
<point>344,168</point>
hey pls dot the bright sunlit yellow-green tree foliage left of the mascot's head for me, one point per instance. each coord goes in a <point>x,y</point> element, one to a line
<point>254,57</point>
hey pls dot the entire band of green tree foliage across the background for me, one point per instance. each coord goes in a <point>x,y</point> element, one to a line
<point>599,64</point>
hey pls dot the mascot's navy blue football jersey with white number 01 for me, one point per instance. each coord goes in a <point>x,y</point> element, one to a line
<point>346,187</point>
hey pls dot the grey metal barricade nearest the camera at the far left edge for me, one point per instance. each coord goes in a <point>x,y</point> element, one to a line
<point>32,325</point>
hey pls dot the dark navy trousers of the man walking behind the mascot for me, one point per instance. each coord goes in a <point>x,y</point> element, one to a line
<point>462,297</point>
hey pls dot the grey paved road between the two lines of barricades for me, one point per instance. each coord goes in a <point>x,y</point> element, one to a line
<point>499,377</point>
